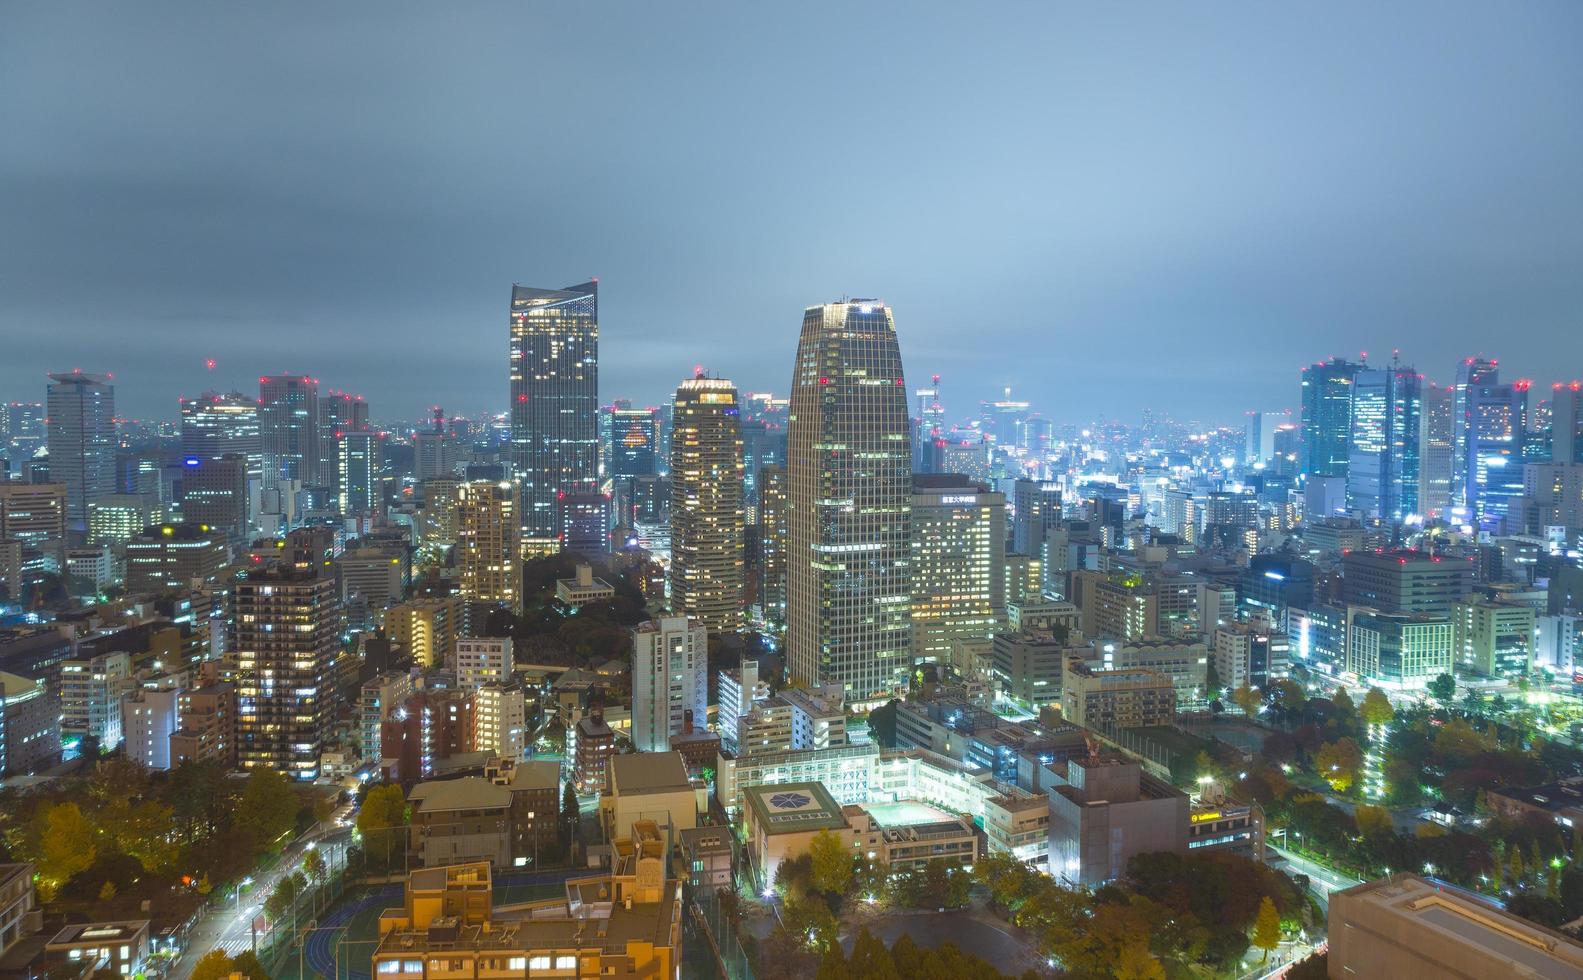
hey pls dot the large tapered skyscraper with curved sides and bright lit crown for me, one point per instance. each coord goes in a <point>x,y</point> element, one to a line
<point>849,496</point>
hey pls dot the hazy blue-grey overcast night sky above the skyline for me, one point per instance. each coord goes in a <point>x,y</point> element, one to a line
<point>1106,207</point>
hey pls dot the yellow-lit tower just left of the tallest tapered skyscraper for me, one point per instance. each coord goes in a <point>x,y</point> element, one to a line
<point>707,504</point>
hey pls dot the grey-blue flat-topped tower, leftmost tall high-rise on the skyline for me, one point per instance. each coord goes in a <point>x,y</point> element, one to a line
<point>82,433</point>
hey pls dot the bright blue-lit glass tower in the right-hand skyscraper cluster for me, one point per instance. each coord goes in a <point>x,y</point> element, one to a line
<point>1383,465</point>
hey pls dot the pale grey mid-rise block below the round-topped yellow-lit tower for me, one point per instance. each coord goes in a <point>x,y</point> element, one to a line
<point>670,680</point>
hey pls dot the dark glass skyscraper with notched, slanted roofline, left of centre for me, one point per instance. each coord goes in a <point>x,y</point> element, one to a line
<point>555,401</point>
